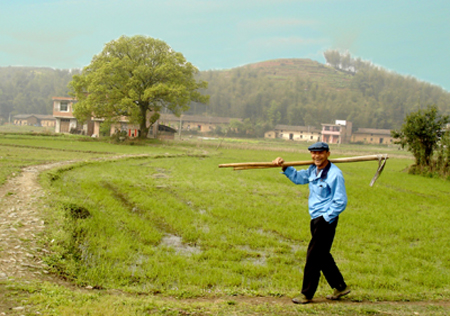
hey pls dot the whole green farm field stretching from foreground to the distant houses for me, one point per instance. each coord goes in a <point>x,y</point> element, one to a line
<point>167,232</point>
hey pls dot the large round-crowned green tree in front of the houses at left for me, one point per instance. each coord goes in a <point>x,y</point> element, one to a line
<point>136,77</point>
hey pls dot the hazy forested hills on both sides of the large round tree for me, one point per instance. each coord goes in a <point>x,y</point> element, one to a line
<point>282,91</point>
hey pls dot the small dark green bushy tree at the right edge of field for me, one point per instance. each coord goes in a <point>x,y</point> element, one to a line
<point>421,133</point>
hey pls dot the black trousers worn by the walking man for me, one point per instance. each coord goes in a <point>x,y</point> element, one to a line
<point>319,258</point>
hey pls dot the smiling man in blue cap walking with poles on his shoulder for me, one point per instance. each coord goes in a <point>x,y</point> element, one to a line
<point>327,199</point>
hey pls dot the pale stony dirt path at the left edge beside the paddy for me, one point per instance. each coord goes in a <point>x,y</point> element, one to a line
<point>20,222</point>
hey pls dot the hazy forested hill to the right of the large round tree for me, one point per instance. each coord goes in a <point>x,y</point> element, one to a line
<point>308,93</point>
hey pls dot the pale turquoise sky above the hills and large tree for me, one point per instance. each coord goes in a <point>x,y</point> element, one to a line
<point>408,37</point>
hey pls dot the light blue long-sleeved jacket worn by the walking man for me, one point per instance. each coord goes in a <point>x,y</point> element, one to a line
<point>327,195</point>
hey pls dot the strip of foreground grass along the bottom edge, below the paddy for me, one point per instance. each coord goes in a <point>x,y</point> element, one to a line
<point>50,299</point>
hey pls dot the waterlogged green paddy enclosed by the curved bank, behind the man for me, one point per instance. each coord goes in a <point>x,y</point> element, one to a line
<point>248,230</point>
